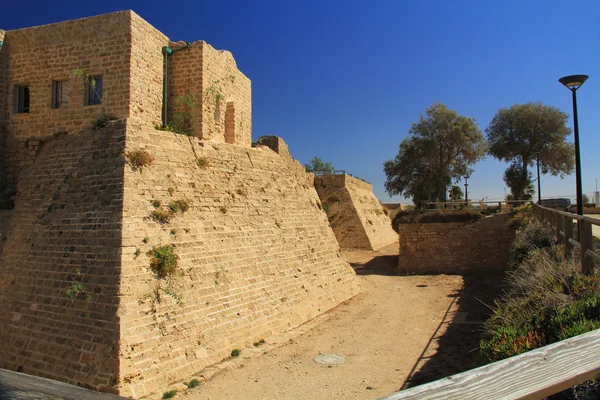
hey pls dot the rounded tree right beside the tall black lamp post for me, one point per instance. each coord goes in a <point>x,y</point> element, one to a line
<point>526,133</point>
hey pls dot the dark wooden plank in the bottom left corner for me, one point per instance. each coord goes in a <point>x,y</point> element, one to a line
<point>35,384</point>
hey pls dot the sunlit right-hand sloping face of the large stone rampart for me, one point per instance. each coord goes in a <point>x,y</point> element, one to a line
<point>256,256</point>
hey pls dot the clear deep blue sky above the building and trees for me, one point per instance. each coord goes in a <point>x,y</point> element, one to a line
<point>344,79</point>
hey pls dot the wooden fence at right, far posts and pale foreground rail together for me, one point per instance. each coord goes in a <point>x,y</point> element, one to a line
<point>538,373</point>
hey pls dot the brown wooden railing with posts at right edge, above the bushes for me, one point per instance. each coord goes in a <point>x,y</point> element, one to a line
<point>563,224</point>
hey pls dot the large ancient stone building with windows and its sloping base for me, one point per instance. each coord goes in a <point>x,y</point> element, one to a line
<point>135,257</point>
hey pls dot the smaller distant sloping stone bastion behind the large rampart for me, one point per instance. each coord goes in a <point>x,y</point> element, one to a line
<point>355,214</point>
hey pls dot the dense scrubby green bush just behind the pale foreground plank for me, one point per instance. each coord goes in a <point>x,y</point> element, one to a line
<point>548,299</point>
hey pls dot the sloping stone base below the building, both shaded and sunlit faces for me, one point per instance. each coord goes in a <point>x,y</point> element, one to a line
<point>256,257</point>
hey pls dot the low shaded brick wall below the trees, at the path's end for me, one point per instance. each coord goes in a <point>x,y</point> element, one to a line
<point>455,248</point>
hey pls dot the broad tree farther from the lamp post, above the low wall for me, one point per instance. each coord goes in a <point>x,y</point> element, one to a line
<point>441,147</point>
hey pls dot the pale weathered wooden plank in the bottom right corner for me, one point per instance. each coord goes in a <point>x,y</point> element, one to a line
<point>532,375</point>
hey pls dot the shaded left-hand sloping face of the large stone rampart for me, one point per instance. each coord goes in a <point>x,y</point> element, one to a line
<point>66,228</point>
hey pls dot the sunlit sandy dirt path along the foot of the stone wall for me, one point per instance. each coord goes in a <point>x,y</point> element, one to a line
<point>381,333</point>
